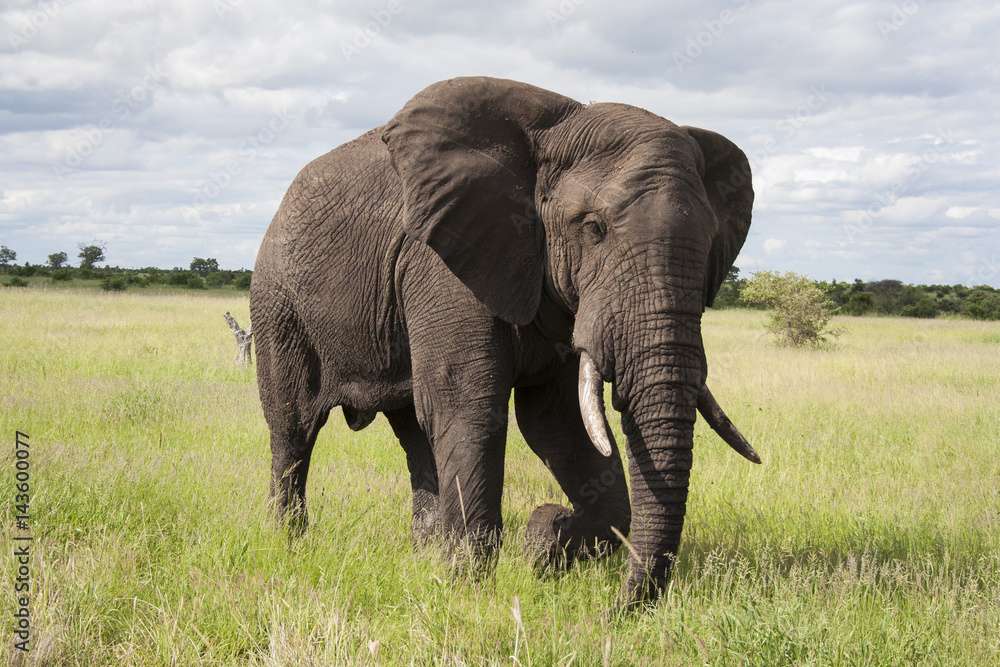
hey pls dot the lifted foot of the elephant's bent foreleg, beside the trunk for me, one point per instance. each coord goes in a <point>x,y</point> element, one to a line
<point>556,537</point>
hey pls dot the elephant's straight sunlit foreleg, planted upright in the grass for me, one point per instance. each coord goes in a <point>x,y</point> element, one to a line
<point>462,366</point>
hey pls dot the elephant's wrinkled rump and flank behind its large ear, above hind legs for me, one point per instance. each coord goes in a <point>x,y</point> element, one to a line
<point>329,258</point>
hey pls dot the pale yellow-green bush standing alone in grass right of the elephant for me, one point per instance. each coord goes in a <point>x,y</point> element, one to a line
<point>801,310</point>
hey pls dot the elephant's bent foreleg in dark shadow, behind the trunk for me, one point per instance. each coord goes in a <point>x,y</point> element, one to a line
<point>549,417</point>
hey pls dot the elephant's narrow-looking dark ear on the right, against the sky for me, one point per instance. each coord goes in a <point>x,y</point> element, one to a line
<point>730,192</point>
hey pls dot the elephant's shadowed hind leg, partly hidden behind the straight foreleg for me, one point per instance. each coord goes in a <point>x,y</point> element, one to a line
<point>423,471</point>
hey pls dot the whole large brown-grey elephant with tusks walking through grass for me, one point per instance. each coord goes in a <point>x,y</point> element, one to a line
<point>495,238</point>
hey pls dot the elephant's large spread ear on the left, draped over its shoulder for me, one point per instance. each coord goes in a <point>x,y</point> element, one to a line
<point>464,149</point>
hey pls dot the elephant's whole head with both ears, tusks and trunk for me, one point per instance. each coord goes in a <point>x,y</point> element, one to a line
<point>604,218</point>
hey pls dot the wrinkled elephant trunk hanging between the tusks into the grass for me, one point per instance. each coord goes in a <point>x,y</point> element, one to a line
<point>657,390</point>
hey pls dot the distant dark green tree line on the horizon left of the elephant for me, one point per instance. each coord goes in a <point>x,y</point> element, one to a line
<point>202,273</point>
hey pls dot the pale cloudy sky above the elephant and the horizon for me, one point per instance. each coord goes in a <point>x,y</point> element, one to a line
<point>170,130</point>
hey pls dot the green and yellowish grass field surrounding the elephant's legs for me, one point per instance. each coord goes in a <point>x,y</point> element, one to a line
<point>870,535</point>
